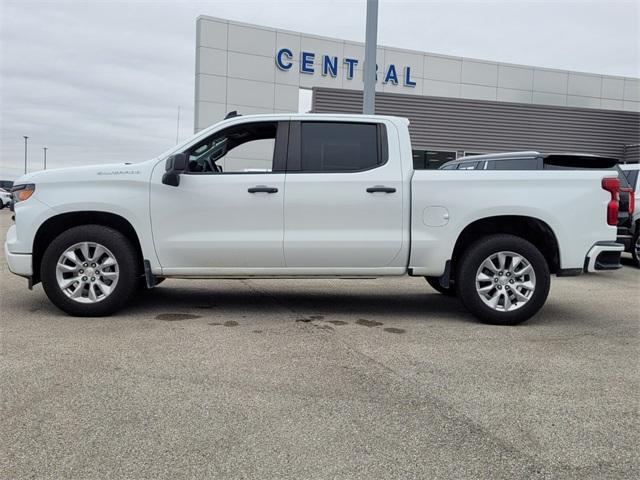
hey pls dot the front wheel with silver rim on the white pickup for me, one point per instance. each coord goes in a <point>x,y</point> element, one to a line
<point>87,291</point>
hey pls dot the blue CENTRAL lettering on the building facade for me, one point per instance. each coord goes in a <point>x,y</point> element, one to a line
<point>329,67</point>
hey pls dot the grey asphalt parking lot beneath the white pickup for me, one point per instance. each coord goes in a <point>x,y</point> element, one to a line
<point>320,379</point>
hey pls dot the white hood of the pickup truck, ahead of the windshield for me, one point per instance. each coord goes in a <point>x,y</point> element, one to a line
<point>109,171</point>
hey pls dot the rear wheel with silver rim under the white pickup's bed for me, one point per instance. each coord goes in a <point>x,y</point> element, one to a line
<point>520,291</point>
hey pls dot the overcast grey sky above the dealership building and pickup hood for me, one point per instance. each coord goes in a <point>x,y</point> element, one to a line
<point>101,81</point>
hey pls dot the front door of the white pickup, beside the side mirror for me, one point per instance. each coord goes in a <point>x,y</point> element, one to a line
<point>227,211</point>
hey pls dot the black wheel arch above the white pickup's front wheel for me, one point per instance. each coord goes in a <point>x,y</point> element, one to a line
<point>57,224</point>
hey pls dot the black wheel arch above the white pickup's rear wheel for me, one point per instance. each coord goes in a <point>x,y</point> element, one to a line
<point>534,230</point>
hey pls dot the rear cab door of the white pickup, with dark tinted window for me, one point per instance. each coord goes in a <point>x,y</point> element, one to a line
<point>343,202</point>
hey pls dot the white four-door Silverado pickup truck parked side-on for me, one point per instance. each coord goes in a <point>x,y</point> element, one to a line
<point>309,196</point>
